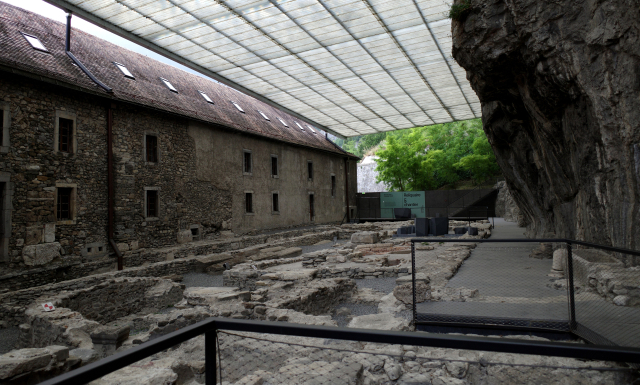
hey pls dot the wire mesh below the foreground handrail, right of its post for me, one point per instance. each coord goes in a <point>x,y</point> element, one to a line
<point>252,358</point>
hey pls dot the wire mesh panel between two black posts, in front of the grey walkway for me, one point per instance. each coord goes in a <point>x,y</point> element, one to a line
<point>487,285</point>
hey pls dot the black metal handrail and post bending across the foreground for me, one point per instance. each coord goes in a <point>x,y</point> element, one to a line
<point>212,326</point>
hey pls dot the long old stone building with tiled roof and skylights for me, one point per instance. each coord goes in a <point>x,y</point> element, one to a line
<point>189,156</point>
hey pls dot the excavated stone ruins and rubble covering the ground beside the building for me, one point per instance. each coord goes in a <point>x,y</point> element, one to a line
<point>274,283</point>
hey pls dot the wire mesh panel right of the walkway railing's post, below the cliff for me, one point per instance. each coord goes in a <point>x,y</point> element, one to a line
<point>607,296</point>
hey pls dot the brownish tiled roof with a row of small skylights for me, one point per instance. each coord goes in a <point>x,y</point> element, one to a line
<point>147,89</point>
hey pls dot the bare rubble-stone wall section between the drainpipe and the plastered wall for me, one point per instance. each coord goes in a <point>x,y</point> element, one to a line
<point>184,199</point>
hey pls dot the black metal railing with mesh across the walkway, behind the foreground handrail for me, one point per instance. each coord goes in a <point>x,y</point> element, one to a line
<point>592,312</point>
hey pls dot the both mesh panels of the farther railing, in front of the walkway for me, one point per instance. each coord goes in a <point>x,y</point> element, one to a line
<point>591,293</point>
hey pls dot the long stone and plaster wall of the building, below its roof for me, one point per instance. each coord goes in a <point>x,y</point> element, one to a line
<point>193,195</point>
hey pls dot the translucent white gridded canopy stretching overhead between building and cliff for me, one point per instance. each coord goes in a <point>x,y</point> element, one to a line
<point>351,67</point>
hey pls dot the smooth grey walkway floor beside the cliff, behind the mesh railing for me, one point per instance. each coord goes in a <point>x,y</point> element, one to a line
<point>514,286</point>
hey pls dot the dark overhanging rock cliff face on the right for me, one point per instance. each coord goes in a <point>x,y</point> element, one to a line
<point>559,82</point>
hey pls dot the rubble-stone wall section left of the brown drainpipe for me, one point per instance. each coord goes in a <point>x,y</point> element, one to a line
<point>34,169</point>
